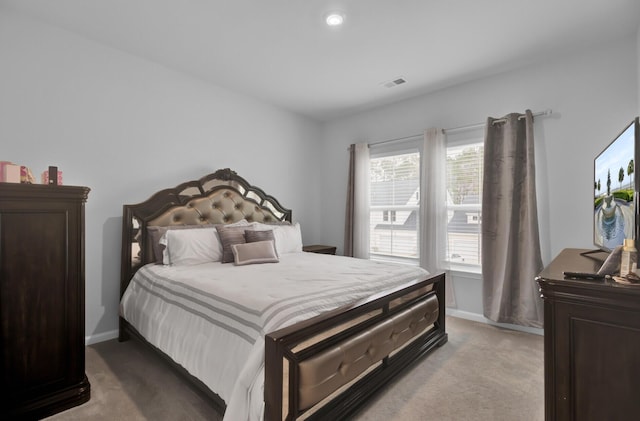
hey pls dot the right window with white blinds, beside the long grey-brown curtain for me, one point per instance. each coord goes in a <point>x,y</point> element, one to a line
<point>464,201</point>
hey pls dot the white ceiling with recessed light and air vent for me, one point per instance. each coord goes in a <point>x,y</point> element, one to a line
<point>281,52</point>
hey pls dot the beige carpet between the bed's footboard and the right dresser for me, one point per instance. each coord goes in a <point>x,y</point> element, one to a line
<point>483,373</point>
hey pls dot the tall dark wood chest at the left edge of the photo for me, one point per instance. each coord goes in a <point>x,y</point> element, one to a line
<point>42,348</point>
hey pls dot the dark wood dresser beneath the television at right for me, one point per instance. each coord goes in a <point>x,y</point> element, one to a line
<point>592,343</point>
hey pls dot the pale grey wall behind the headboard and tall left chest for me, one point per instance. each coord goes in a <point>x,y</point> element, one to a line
<point>126,127</point>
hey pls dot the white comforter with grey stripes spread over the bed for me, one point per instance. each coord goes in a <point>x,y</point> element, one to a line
<point>212,318</point>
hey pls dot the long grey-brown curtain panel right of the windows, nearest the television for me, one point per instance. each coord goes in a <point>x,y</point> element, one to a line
<point>510,241</point>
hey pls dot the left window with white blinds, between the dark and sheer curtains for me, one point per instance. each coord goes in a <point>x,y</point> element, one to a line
<point>394,205</point>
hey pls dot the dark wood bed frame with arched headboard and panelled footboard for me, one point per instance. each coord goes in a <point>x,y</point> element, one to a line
<point>416,310</point>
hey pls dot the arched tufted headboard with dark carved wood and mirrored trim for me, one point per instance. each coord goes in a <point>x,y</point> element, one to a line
<point>219,198</point>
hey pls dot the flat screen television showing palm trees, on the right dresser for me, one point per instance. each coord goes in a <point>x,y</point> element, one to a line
<point>616,210</point>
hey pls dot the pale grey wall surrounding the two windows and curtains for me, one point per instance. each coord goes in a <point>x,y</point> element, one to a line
<point>593,95</point>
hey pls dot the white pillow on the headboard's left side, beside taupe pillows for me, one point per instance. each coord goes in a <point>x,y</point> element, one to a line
<point>191,247</point>
